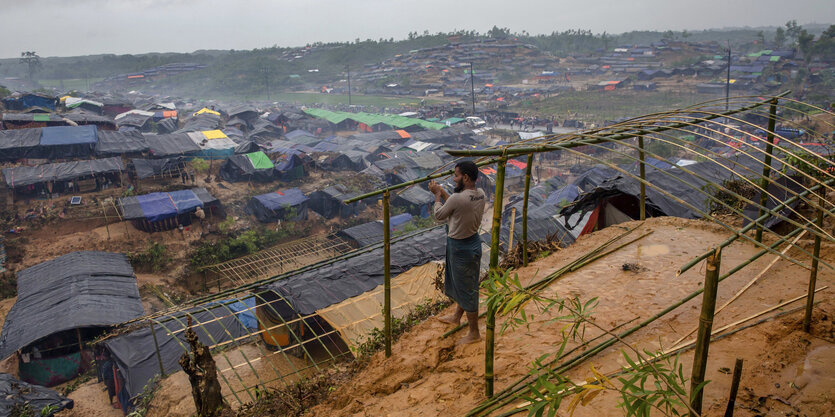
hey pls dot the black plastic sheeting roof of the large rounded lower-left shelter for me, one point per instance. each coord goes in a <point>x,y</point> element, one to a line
<point>80,289</point>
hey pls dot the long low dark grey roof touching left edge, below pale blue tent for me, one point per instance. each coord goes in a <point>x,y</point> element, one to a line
<point>63,171</point>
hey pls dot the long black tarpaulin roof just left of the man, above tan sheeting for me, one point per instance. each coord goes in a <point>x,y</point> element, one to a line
<point>332,283</point>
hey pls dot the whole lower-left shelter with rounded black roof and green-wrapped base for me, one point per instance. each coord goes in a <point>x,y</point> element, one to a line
<point>61,305</point>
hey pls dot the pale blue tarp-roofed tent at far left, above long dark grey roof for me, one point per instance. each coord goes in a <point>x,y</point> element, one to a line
<point>67,141</point>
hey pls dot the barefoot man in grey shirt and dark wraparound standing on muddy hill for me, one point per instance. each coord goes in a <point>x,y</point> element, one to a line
<point>464,209</point>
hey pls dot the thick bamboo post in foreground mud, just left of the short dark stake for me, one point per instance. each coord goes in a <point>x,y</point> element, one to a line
<point>705,327</point>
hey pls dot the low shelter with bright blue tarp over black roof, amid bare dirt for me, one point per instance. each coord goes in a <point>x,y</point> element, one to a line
<point>156,212</point>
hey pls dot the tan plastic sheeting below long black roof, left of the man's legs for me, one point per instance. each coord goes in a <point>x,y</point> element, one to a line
<point>356,317</point>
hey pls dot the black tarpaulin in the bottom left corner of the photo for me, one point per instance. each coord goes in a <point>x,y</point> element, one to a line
<point>15,394</point>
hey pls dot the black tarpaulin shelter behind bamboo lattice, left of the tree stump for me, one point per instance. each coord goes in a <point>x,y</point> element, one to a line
<point>135,352</point>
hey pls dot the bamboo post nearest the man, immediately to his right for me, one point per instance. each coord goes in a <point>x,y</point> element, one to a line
<point>494,263</point>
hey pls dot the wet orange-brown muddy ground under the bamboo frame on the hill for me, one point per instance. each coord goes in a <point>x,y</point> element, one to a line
<point>428,375</point>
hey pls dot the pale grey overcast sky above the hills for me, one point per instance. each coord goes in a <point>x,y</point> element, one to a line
<point>82,27</point>
